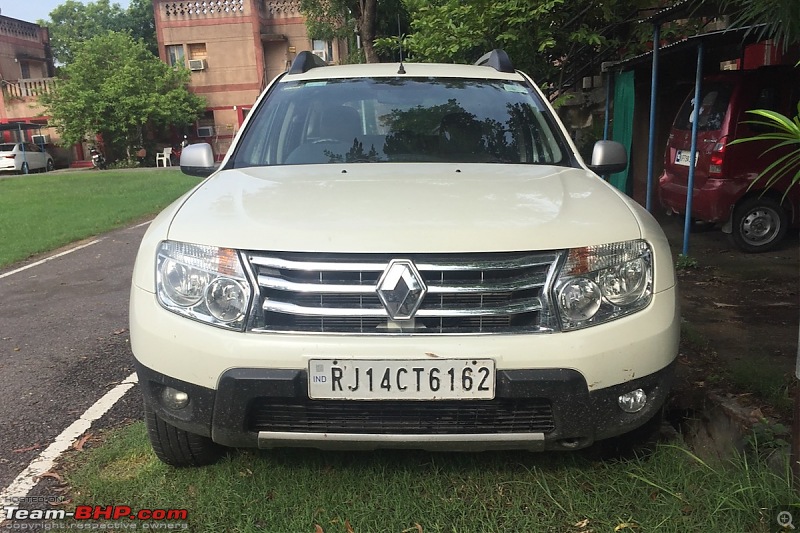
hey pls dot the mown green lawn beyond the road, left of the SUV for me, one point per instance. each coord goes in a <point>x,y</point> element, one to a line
<point>42,212</point>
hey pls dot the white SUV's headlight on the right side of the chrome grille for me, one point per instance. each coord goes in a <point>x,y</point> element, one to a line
<point>605,282</point>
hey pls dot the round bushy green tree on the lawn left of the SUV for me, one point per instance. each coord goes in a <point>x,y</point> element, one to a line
<point>115,88</point>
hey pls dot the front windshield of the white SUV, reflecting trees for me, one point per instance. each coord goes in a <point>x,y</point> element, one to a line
<point>400,120</point>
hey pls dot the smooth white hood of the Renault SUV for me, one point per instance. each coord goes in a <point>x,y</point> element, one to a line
<point>394,208</point>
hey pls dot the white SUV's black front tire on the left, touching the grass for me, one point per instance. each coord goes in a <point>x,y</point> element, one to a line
<point>177,447</point>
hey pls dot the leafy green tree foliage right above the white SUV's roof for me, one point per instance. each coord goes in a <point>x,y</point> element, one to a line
<point>541,36</point>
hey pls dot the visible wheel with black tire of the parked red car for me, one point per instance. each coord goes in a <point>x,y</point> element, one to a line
<point>759,224</point>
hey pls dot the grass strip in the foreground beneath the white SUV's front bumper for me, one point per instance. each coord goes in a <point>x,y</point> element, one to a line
<point>295,491</point>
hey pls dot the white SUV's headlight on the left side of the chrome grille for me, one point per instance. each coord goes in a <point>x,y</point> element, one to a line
<point>203,282</point>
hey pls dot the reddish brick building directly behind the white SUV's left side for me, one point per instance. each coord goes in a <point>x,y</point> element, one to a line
<point>233,48</point>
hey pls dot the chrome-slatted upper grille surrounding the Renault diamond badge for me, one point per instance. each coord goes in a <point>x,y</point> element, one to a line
<point>466,293</point>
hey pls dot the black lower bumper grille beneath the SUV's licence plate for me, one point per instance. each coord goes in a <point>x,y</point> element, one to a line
<point>392,417</point>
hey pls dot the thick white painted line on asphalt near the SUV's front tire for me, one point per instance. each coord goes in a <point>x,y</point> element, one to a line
<point>28,478</point>
